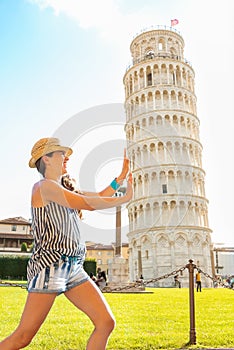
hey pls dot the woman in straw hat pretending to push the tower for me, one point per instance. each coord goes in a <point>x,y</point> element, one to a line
<point>56,264</point>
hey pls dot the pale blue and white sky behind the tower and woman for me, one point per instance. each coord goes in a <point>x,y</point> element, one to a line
<point>61,60</point>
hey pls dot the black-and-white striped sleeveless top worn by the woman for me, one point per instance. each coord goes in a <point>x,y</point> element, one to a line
<point>56,232</point>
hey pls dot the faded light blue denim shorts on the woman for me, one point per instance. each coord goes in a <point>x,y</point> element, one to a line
<point>59,277</point>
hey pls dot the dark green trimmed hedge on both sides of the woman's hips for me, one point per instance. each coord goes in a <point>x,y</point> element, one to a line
<point>15,267</point>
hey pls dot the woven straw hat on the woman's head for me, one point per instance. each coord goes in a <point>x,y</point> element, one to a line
<point>45,146</point>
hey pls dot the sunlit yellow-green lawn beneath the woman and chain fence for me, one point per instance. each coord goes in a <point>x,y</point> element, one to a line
<point>144,322</point>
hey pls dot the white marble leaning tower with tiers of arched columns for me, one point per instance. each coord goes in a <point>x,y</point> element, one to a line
<point>168,215</point>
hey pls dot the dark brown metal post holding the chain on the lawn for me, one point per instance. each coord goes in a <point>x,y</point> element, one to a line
<point>191,267</point>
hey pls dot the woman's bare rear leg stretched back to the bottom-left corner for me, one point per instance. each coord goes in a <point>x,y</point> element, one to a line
<point>35,311</point>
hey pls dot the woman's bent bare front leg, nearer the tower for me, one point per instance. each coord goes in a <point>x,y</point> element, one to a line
<point>88,298</point>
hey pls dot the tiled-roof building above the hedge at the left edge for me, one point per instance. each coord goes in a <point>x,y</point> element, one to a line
<point>14,232</point>
